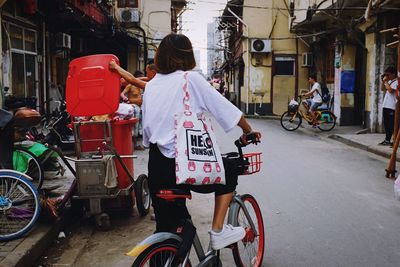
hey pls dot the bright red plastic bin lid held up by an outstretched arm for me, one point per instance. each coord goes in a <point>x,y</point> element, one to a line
<point>92,89</point>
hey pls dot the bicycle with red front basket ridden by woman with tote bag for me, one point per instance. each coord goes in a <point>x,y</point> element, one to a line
<point>173,248</point>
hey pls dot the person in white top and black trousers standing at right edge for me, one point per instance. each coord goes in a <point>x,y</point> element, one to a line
<point>389,84</point>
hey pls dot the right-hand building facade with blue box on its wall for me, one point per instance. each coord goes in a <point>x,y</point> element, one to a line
<point>350,53</point>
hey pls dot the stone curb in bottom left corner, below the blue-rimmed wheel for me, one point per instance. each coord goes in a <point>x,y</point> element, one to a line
<point>33,246</point>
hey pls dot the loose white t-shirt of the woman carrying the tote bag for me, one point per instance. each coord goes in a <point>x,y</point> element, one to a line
<point>163,98</point>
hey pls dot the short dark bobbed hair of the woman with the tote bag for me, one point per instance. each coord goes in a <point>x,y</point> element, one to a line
<point>175,52</point>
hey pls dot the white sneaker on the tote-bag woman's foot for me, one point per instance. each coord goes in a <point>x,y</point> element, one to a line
<point>227,236</point>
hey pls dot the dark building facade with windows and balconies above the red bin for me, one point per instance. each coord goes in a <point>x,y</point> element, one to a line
<point>40,37</point>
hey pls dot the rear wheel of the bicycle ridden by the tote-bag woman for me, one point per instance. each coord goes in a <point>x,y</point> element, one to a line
<point>160,254</point>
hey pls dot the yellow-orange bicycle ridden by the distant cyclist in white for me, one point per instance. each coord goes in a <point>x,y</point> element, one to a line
<point>292,119</point>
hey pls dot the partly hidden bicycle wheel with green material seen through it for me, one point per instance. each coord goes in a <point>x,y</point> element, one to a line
<point>27,163</point>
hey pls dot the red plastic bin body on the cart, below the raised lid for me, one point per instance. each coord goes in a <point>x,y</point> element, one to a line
<point>121,139</point>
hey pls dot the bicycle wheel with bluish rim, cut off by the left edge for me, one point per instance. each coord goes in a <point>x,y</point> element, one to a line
<point>19,205</point>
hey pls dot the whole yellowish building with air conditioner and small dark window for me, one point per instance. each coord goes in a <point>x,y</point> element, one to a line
<point>262,57</point>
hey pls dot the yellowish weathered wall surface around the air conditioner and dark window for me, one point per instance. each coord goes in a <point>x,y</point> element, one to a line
<point>270,23</point>
